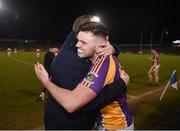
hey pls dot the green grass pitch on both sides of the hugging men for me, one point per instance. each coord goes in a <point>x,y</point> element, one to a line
<point>20,107</point>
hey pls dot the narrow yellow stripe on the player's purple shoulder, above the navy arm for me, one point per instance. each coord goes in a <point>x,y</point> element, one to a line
<point>111,71</point>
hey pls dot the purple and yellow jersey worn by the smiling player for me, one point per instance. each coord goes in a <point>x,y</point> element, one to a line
<point>104,71</point>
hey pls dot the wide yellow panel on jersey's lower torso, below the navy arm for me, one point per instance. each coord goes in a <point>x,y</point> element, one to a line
<point>113,117</point>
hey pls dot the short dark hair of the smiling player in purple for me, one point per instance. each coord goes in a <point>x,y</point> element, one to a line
<point>97,28</point>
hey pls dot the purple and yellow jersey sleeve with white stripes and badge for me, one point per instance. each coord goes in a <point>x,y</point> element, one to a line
<point>101,73</point>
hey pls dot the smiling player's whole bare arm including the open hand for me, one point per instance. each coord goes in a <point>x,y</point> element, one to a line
<point>70,100</point>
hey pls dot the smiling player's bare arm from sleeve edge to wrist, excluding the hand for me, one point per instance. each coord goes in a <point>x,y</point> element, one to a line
<point>70,100</point>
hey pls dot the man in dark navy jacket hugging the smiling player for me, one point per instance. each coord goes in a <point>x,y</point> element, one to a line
<point>67,70</point>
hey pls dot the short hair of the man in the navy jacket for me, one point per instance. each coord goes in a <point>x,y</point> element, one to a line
<point>80,20</point>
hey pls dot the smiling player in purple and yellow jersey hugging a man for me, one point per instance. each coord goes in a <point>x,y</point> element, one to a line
<point>104,71</point>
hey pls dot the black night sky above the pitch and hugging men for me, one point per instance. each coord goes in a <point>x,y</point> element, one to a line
<point>127,20</point>
